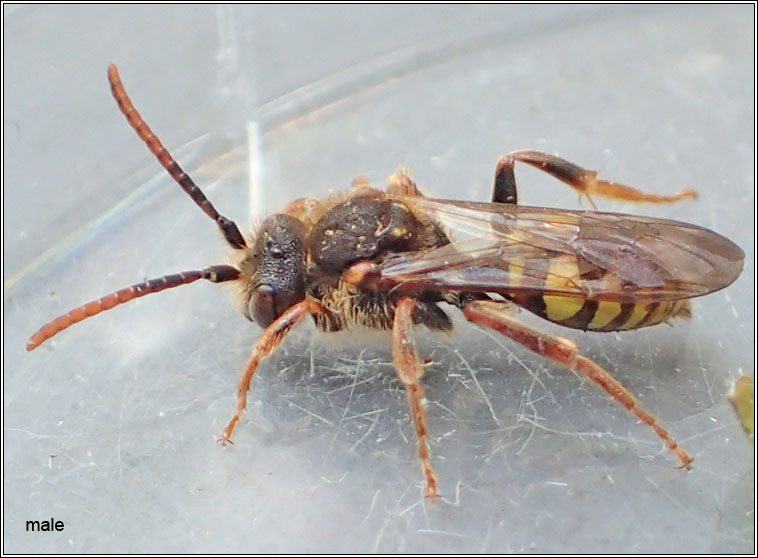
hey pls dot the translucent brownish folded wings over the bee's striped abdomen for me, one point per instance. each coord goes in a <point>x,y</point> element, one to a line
<point>510,249</point>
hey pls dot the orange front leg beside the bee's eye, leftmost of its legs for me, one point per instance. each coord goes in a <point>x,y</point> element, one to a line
<point>267,344</point>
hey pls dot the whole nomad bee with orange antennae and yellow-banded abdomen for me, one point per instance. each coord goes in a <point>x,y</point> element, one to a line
<point>390,259</point>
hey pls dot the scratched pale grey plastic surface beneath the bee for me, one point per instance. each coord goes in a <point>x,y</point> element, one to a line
<point>111,427</point>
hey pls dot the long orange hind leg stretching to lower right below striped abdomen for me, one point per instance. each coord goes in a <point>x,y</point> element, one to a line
<point>495,315</point>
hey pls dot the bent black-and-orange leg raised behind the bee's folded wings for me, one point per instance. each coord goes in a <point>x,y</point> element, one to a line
<point>580,179</point>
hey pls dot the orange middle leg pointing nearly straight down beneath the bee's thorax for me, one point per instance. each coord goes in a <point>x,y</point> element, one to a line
<point>409,369</point>
